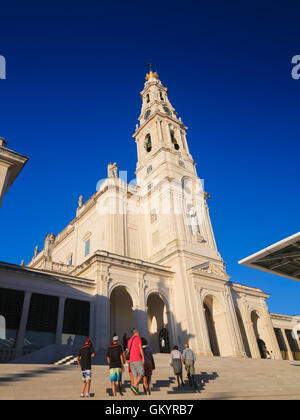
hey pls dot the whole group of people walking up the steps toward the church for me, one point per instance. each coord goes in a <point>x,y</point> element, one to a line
<point>138,354</point>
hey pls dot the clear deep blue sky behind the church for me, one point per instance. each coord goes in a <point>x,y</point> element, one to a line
<point>71,101</point>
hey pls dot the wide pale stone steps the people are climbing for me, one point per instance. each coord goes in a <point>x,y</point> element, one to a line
<point>218,378</point>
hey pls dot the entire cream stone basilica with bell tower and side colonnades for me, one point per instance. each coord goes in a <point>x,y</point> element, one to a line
<point>140,254</point>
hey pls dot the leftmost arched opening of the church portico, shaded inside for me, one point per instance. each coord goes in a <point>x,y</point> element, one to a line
<point>122,319</point>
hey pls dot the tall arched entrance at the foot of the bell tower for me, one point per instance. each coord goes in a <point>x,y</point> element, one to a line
<point>217,327</point>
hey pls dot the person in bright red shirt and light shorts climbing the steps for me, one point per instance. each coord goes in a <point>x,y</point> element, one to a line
<point>136,360</point>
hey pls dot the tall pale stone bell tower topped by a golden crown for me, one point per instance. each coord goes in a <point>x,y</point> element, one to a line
<point>171,194</point>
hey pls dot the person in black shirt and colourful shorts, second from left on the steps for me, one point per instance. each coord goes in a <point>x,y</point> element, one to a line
<point>115,359</point>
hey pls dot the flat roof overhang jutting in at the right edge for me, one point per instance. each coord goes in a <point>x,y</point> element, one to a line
<point>281,258</point>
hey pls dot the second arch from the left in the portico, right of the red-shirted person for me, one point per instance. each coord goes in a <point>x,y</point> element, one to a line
<point>157,323</point>
